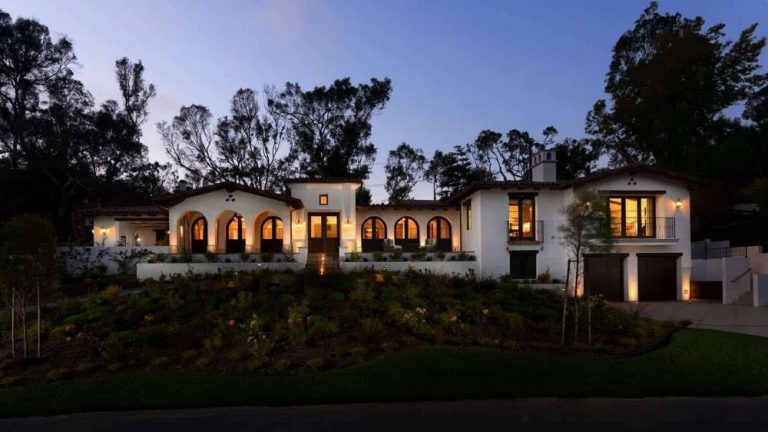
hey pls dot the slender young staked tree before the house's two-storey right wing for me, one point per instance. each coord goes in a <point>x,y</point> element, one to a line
<point>586,230</point>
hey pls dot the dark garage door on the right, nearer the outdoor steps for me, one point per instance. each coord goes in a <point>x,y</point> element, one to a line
<point>657,277</point>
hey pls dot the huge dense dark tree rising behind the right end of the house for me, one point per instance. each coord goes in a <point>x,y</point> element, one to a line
<point>671,81</point>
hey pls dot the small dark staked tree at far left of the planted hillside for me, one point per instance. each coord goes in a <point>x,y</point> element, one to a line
<point>28,261</point>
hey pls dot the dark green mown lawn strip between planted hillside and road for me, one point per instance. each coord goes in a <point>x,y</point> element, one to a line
<point>695,363</point>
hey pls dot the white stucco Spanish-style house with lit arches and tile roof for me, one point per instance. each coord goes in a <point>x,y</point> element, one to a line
<point>496,228</point>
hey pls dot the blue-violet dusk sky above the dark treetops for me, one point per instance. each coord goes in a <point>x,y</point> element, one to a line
<point>456,67</point>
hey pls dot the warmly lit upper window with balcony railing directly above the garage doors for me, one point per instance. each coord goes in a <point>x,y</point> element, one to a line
<point>632,216</point>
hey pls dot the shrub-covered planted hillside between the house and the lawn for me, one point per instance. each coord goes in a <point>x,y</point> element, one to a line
<point>285,323</point>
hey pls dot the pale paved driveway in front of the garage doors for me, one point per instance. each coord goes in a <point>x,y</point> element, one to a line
<point>708,315</point>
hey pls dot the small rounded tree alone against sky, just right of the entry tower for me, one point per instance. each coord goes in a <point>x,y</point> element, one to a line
<point>405,166</point>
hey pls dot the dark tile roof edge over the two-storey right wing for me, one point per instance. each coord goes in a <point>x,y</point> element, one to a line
<point>471,188</point>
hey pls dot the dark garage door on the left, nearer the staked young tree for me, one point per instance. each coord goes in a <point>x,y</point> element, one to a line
<point>604,276</point>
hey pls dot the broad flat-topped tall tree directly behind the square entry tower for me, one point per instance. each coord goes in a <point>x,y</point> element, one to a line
<point>331,126</point>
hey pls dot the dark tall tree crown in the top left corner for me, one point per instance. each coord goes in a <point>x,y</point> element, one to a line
<point>30,62</point>
